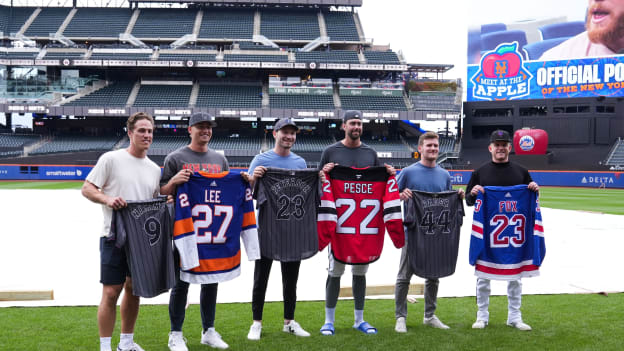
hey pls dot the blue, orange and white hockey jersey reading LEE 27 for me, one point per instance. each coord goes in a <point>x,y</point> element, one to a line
<point>213,212</point>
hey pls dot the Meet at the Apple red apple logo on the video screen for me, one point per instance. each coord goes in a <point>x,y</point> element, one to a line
<point>501,75</point>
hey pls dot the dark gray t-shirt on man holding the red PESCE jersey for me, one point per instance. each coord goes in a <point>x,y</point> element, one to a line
<point>360,157</point>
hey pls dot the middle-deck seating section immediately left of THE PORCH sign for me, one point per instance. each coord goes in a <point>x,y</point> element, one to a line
<point>231,95</point>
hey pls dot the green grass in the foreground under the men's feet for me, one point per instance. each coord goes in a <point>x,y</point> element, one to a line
<point>560,322</point>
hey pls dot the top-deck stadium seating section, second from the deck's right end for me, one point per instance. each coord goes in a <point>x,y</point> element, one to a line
<point>290,25</point>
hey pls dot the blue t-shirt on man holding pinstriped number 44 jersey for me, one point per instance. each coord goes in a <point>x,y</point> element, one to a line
<point>423,178</point>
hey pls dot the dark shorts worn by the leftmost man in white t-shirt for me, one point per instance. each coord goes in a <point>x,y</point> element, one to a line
<point>113,263</point>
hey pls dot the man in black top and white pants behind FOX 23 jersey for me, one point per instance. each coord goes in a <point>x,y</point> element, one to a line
<point>499,172</point>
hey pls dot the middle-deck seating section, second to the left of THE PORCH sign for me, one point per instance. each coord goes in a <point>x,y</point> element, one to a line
<point>163,95</point>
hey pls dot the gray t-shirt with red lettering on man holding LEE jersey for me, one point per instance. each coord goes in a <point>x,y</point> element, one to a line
<point>185,158</point>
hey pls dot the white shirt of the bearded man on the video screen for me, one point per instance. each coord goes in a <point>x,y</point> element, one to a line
<point>576,47</point>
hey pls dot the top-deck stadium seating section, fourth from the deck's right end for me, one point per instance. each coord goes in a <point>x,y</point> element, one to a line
<point>159,23</point>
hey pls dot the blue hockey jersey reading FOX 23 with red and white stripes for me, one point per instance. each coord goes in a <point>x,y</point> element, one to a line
<point>507,241</point>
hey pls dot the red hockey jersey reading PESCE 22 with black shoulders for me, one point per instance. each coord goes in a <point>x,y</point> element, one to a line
<point>357,206</point>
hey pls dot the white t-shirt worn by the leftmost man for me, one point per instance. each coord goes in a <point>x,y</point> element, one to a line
<point>118,173</point>
